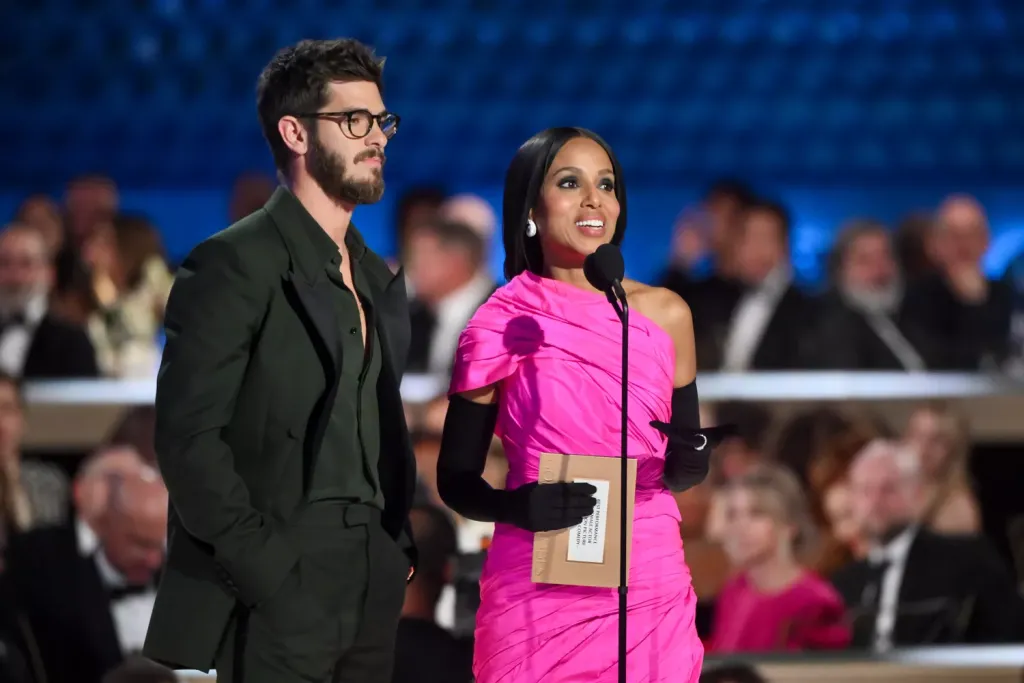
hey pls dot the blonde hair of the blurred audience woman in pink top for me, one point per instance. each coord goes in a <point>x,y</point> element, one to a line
<point>778,491</point>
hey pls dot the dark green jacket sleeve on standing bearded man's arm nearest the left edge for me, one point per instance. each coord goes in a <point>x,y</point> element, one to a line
<point>212,320</point>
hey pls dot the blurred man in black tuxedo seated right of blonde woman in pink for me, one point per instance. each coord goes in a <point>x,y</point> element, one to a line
<point>918,588</point>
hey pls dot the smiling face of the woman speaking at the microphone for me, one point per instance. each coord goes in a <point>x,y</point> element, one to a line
<point>578,208</point>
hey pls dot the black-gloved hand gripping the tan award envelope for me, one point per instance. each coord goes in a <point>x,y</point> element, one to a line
<point>549,507</point>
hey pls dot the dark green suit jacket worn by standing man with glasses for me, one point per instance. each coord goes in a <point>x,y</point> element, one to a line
<point>243,399</point>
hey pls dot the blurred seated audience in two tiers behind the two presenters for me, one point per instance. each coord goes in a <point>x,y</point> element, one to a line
<point>895,525</point>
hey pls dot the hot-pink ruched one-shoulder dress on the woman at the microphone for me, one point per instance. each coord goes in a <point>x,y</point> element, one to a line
<point>556,353</point>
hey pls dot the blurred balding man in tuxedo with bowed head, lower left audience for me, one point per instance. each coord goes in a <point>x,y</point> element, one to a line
<point>90,597</point>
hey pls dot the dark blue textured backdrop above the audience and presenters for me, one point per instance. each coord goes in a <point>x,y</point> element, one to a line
<point>789,89</point>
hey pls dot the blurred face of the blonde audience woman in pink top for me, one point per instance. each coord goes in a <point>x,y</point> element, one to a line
<point>752,533</point>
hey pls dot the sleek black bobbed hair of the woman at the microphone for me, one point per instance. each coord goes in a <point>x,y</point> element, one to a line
<point>523,188</point>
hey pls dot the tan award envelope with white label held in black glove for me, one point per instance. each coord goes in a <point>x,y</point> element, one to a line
<point>587,554</point>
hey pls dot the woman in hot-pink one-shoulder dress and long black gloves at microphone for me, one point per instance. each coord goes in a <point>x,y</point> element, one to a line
<point>540,366</point>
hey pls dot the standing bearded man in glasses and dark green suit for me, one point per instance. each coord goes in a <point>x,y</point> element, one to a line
<point>280,428</point>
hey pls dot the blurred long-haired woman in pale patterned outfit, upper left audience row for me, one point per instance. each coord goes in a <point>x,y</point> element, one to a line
<point>131,283</point>
